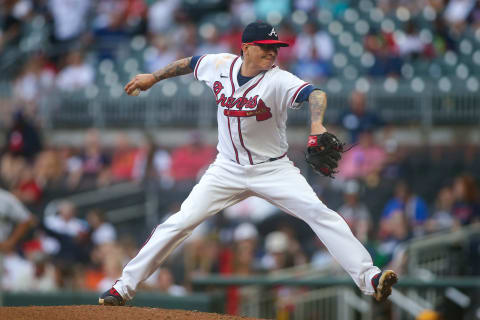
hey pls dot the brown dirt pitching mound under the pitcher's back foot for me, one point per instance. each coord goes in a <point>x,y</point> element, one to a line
<point>101,312</point>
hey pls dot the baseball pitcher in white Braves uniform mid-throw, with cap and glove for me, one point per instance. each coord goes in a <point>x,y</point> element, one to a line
<point>252,97</point>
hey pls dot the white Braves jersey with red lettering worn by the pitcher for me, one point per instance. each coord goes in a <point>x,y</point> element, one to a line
<point>251,118</point>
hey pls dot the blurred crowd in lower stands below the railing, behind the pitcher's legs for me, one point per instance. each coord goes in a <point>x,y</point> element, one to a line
<point>387,193</point>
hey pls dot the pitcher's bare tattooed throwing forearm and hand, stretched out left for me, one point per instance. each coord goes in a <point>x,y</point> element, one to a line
<point>146,81</point>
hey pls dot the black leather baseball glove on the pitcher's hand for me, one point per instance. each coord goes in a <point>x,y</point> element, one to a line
<point>324,151</point>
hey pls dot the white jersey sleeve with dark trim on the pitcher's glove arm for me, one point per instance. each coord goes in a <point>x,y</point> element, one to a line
<point>290,87</point>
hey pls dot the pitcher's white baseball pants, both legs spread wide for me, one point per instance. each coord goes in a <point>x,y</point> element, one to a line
<point>226,183</point>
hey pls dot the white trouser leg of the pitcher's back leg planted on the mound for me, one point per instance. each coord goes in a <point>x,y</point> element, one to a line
<point>209,196</point>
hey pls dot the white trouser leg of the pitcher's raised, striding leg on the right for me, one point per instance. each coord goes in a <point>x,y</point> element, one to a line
<point>289,190</point>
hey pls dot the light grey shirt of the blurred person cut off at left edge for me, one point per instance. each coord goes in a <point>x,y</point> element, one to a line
<point>12,212</point>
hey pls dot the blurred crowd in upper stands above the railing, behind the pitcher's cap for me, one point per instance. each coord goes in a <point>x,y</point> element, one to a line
<point>56,44</point>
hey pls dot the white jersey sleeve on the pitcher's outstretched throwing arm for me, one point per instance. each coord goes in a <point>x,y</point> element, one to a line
<point>208,66</point>
